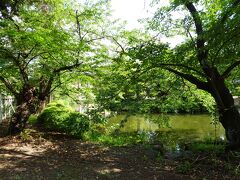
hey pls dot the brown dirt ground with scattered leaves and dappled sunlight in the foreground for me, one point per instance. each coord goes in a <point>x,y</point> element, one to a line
<point>55,156</point>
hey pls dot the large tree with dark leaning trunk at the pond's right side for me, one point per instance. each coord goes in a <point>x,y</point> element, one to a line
<point>207,57</point>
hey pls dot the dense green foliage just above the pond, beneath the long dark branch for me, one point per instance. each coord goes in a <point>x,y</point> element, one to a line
<point>155,92</point>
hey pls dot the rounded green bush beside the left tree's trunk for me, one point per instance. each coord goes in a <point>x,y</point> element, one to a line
<point>59,117</point>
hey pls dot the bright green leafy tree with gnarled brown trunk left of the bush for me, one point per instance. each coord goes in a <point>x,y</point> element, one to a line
<point>41,41</point>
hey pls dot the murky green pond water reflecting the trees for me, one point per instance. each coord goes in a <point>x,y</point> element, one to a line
<point>177,129</point>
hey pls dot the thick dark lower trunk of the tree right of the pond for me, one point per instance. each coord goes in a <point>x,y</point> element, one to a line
<point>228,112</point>
